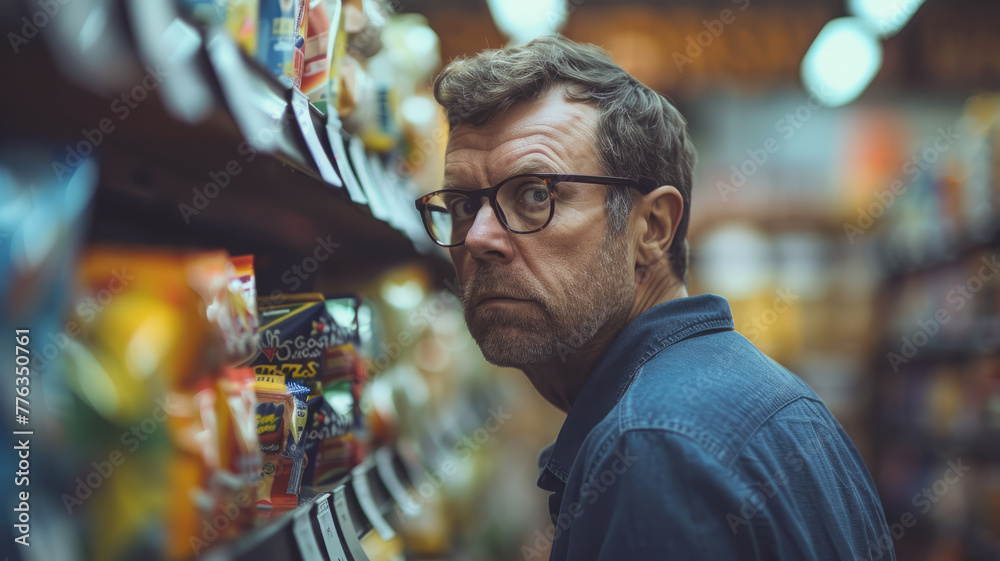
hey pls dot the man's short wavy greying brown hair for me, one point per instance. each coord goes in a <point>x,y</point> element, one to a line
<point>640,134</point>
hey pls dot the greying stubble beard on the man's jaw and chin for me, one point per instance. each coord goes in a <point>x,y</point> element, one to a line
<point>599,296</point>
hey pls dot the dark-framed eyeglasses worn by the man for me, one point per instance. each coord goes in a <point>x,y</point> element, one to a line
<point>524,204</point>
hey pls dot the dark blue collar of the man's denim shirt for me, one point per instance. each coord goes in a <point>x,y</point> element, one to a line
<point>655,329</point>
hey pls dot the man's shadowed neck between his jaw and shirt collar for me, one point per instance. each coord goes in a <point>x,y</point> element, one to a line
<point>561,380</point>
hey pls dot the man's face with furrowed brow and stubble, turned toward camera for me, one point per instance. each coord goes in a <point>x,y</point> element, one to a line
<point>533,299</point>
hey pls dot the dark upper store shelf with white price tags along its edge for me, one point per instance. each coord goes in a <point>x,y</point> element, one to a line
<point>215,110</point>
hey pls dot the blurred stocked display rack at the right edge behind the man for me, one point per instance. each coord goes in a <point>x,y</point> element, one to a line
<point>939,407</point>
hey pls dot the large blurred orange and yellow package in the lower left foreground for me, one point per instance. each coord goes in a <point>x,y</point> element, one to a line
<point>140,331</point>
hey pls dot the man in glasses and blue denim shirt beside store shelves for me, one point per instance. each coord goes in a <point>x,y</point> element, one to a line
<point>567,196</point>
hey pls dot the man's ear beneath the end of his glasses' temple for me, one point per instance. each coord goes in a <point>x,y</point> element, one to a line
<point>659,214</point>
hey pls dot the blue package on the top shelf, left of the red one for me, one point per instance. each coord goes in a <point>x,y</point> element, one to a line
<point>276,38</point>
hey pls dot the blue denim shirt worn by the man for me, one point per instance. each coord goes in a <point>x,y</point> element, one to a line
<point>689,443</point>
